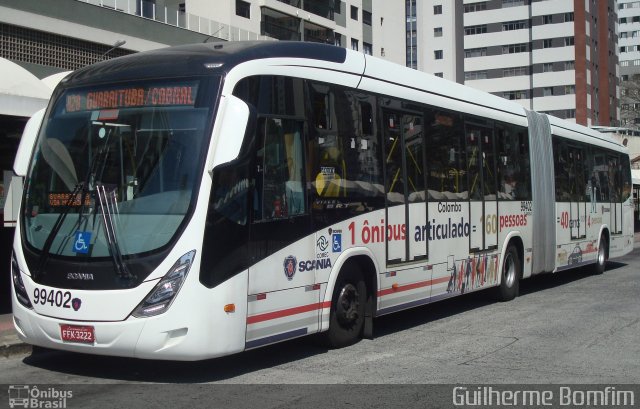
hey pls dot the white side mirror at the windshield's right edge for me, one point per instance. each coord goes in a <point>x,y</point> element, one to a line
<point>229,130</point>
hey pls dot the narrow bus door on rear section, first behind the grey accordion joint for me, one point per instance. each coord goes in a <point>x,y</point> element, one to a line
<point>578,183</point>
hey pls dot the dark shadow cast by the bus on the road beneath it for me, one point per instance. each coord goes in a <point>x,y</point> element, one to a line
<point>226,368</point>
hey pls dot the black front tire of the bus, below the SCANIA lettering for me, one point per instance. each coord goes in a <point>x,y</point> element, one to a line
<point>347,309</point>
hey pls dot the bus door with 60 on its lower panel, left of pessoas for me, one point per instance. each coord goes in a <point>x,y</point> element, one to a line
<point>481,171</point>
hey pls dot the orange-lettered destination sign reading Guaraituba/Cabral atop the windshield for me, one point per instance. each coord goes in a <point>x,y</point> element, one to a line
<point>132,97</point>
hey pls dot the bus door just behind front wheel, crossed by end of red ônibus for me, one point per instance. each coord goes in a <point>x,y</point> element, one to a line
<point>404,187</point>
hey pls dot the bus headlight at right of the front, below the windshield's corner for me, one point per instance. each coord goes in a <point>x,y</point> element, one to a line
<point>160,298</point>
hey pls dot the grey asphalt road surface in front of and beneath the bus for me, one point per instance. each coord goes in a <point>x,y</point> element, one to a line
<point>568,328</point>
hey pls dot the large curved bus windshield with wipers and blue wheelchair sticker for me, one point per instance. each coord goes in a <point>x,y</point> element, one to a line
<point>115,168</point>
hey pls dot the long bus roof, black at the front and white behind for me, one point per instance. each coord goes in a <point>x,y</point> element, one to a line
<point>221,57</point>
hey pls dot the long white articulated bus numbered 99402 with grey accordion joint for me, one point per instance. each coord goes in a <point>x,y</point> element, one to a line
<point>198,201</point>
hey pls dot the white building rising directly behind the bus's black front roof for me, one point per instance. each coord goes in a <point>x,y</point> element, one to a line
<point>368,26</point>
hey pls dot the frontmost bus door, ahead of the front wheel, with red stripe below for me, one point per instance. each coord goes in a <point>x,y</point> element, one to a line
<point>282,245</point>
